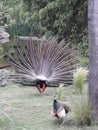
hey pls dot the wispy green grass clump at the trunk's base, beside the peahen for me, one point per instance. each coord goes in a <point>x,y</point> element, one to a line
<point>82,111</point>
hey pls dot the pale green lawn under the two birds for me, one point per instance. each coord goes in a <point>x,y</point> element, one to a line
<point>23,108</point>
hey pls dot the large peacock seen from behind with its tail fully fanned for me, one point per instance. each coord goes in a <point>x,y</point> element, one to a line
<point>43,62</point>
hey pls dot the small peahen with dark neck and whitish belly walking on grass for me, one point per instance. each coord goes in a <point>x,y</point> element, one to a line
<point>60,110</point>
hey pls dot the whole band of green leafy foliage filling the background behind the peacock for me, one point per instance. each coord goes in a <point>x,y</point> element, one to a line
<point>68,19</point>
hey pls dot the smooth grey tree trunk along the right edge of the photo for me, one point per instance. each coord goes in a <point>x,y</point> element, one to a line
<point>93,56</point>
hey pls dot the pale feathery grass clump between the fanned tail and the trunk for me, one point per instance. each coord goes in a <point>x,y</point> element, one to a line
<point>80,76</point>
